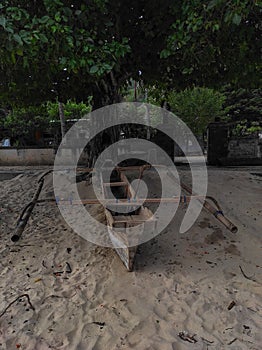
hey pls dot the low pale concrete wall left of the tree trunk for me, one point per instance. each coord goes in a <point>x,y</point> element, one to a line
<point>37,156</point>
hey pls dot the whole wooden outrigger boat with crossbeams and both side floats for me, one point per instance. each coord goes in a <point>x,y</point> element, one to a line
<point>135,212</point>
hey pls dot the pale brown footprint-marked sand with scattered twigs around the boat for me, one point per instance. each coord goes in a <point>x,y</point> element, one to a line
<point>177,297</point>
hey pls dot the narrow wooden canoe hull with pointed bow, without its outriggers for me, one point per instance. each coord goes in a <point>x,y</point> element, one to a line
<point>119,224</point>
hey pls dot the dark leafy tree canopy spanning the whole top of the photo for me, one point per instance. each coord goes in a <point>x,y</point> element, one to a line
<point>72,49</point>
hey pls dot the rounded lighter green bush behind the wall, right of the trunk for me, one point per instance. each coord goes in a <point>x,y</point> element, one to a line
<point>197,107</point>
